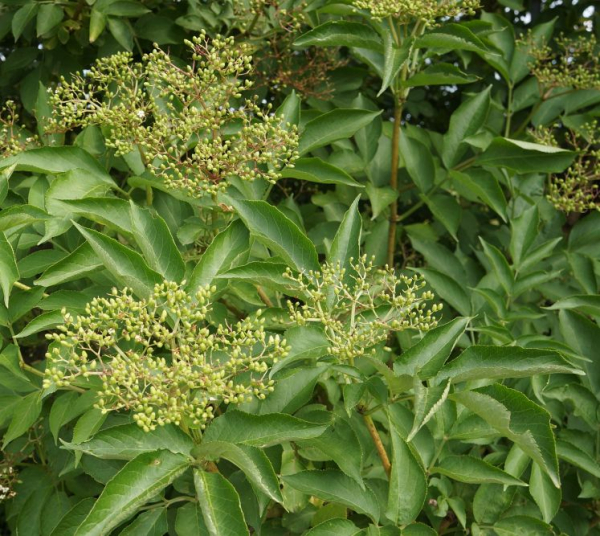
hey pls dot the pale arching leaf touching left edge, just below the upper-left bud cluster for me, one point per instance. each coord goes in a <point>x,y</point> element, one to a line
<point>53,160</point>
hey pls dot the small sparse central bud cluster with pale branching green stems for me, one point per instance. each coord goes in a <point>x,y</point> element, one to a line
<point>358,308</point>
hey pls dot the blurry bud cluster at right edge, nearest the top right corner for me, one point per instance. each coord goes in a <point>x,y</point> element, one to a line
<point>575,63</point>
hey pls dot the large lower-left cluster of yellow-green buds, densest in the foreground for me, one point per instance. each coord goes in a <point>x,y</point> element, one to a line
<point>159,357</point>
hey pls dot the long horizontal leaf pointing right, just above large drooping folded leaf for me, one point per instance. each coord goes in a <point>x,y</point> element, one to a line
<point>501,362</point>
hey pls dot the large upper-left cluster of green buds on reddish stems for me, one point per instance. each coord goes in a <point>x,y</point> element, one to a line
<point>190,123</point>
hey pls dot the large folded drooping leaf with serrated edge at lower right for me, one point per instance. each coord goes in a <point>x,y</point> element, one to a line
<point>517,418</point>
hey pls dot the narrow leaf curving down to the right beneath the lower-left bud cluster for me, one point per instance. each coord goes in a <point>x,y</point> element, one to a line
<point>252,461</point>
